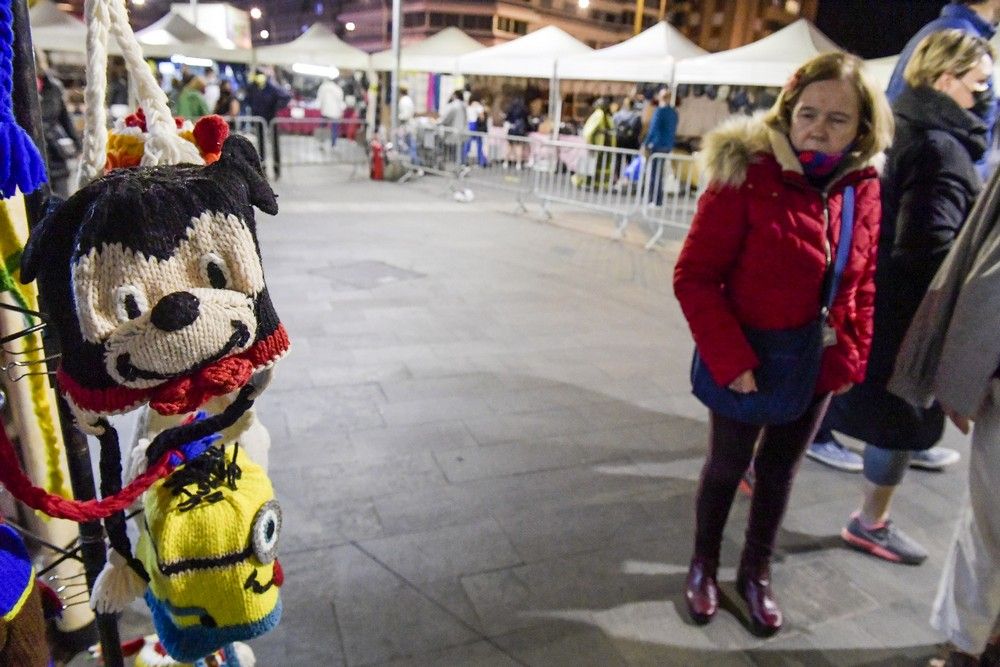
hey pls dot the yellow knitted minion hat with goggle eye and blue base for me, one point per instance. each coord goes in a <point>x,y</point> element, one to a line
<point>209,543</point>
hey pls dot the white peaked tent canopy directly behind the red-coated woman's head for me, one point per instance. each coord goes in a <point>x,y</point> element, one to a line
<point>766,62</point>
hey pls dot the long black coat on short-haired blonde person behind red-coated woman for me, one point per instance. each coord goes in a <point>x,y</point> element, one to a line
<point>929,185</point>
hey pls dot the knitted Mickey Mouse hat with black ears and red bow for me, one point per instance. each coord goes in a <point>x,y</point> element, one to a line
<point>153,278</point>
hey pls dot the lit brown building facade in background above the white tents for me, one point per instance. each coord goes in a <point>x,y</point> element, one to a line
<point>715,25</point>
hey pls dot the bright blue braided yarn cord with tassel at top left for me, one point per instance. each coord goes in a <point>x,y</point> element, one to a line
<point>21,165</point>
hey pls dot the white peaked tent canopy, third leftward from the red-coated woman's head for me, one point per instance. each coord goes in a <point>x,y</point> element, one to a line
<point>532,56</point>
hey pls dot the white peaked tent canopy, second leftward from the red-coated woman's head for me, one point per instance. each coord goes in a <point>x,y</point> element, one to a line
<point>649,56</point>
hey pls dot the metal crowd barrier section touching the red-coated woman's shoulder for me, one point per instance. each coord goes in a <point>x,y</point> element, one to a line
<point>671,186</point>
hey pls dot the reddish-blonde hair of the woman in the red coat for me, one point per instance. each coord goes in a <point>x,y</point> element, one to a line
<point>875,122</point>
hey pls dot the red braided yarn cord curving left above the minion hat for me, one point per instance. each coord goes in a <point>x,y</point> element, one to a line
<point>58,507</point>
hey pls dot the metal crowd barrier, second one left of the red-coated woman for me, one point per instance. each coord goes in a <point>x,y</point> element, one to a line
<point>591,177</point>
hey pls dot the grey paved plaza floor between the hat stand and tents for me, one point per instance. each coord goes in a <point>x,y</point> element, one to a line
<point>486,452</point>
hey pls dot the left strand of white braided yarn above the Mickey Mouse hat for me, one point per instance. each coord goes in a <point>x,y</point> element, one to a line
<point>95,130</point>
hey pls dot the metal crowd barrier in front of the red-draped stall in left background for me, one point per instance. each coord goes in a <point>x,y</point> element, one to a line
<point>318,141</point>
